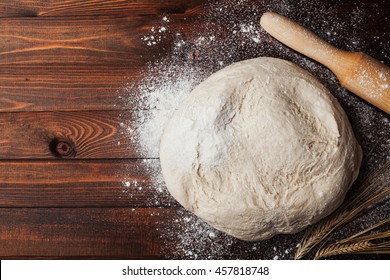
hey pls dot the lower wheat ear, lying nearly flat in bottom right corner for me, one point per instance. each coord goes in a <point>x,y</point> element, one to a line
<point>359,243</point>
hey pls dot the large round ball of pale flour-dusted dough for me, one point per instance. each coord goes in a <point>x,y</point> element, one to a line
<point>259,148</point>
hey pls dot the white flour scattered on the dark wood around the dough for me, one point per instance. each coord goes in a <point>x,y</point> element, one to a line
<point>229,32</point>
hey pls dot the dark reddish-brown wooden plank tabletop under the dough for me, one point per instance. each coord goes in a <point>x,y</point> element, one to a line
<point>63,152</point>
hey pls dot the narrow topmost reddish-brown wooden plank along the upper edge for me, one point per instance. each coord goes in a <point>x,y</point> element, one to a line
<point>59,8</point>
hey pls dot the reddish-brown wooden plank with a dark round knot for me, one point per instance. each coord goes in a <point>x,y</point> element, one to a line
<point>88,134</point>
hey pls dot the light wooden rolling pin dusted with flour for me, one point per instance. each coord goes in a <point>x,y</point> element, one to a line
<point>356,71</point>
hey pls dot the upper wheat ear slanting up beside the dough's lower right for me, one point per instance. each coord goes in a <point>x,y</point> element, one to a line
<point>373,189</point>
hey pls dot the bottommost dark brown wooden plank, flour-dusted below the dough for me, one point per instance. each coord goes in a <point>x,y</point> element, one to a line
<point>126,233</point>
